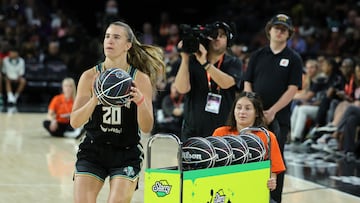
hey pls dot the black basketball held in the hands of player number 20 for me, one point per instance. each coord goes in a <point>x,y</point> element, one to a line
<point>113,86</point>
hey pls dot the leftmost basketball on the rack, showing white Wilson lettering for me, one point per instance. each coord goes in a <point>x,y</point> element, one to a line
<point>198,153</point>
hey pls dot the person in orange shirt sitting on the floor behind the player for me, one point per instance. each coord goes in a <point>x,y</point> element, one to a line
<point>58,122</point>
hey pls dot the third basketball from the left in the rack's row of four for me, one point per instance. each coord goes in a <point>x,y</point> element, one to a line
<point>239,149</point>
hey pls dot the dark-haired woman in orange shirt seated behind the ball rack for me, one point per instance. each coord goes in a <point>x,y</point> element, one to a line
<point>247,111</point>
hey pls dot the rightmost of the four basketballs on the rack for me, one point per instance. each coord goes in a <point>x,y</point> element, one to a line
<point>256,147</point>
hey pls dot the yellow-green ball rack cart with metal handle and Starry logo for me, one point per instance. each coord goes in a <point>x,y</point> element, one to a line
<point>225,184</point>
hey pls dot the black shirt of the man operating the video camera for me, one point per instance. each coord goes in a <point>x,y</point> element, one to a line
<point>197,121</point>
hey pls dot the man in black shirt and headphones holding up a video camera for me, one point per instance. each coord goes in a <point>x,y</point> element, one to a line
<point>209,78</point>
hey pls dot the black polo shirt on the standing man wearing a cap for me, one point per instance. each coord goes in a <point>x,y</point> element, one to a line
<point>270,75</point>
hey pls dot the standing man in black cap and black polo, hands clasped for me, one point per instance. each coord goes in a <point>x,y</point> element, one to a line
<point>275,73</point>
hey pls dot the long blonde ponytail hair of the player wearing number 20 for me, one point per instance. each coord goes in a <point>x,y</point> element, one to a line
<point>146,58</point>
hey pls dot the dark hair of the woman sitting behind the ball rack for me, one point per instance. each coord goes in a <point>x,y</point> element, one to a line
<point>257,102</point>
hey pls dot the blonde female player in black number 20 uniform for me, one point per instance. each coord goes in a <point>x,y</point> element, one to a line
<point>112,145</point>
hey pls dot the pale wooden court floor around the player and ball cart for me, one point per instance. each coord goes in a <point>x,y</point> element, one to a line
<point>38,168</point>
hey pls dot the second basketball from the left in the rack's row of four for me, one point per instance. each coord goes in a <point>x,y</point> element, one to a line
<point>223,151</point>
